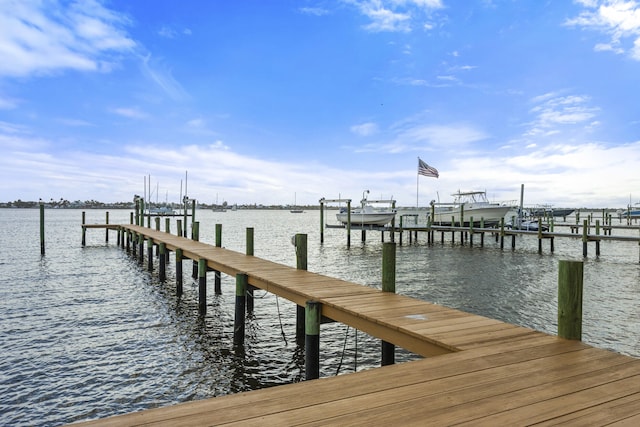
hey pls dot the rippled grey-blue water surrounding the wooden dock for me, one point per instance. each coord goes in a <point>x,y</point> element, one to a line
<point>86,332</point>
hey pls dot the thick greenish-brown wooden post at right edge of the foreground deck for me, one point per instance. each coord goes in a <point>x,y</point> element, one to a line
<point>570,283</point>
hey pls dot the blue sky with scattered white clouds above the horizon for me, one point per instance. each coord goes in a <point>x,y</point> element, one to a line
<point>263,100</point>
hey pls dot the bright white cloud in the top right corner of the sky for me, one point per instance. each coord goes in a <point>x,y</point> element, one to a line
<point>618,19</point>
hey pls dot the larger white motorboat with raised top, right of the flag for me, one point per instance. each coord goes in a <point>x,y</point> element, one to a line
<point>469,204</point>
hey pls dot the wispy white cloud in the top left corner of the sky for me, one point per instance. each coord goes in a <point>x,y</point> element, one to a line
<point>45,37</point>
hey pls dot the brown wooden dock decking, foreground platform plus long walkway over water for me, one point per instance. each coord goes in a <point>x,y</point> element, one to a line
<point>480,371</point>
